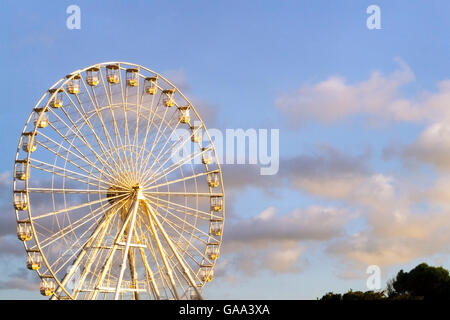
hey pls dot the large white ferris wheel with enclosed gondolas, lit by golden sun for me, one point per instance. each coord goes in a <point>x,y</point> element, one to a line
<point>117,188</point>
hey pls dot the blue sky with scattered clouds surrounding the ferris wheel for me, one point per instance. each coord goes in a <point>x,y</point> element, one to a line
<point>256,63</point>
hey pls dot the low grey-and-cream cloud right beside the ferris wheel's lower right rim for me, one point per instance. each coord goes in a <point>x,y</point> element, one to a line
<point>276,243</point>
